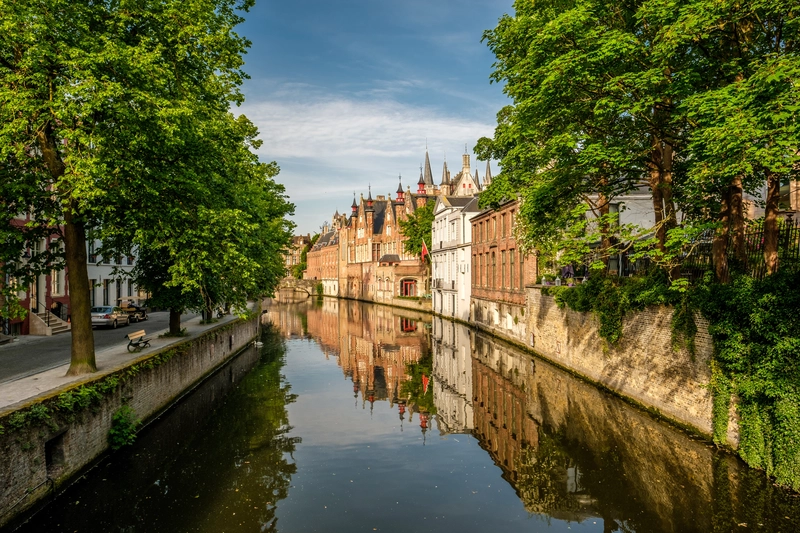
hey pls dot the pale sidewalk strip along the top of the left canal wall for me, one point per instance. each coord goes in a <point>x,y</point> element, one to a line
<point>108,361</point>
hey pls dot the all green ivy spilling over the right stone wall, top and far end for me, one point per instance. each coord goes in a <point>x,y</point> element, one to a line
<point>755,326</point>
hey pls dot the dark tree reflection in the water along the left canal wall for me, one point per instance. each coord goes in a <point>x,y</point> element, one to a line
<point>189,472</point>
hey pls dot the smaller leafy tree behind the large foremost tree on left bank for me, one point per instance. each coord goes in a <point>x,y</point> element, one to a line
<point>224,242</point>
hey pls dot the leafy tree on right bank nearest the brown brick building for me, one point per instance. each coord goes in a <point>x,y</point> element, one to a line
<point>591,118</point>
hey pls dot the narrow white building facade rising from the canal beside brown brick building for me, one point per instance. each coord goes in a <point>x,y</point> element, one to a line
<point>451,255</point>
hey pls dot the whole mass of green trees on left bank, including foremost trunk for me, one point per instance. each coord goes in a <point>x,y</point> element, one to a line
<point>118,121</point>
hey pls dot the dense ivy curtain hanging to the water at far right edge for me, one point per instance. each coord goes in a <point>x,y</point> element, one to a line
<point>755,325</point>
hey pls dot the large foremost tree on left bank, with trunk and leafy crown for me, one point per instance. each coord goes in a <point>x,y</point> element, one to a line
<point>101,97</point>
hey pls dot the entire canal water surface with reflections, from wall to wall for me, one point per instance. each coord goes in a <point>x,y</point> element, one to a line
<point>354,417</point>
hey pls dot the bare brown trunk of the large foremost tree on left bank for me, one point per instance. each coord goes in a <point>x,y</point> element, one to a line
<point>82,359</point>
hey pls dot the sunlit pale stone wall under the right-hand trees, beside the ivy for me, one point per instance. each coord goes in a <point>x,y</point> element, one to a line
<point>643,366</point>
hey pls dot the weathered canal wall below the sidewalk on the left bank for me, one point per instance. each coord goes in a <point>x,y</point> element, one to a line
<point>48,440</point>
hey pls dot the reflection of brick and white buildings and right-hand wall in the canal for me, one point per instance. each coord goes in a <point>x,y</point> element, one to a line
<point>570,451</point>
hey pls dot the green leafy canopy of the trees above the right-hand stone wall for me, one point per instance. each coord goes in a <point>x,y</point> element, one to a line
<point>694,101</point>
